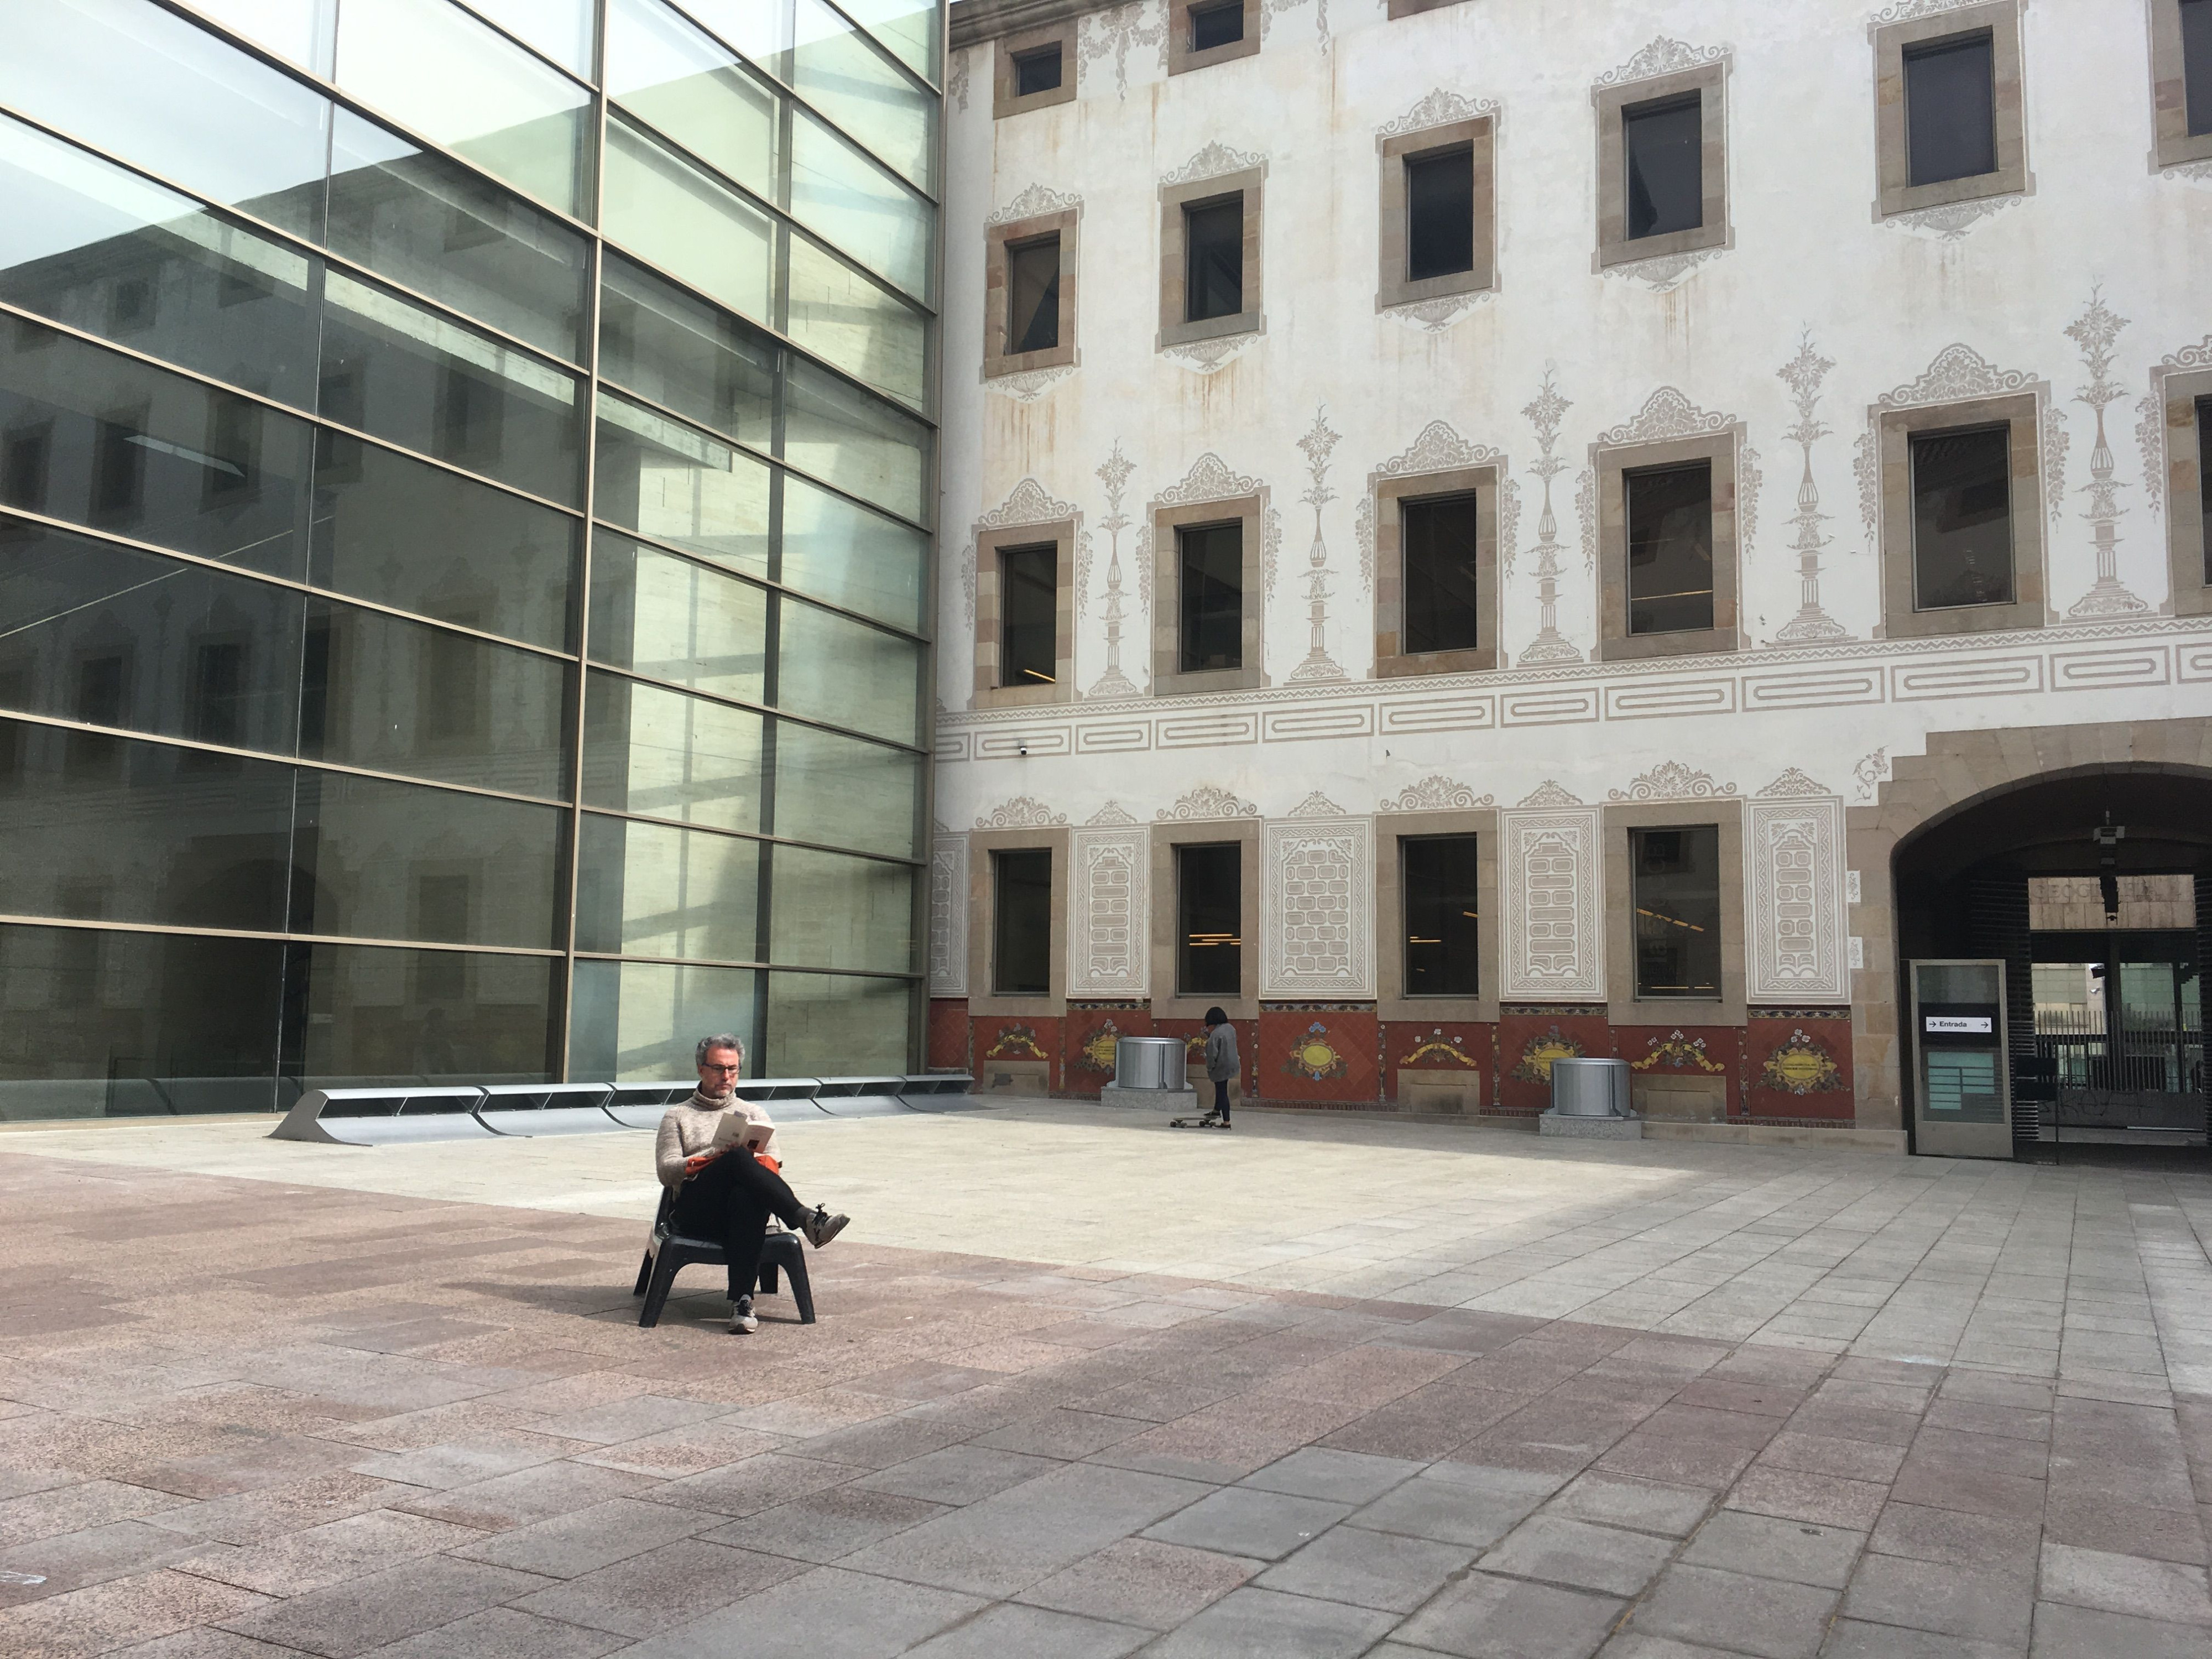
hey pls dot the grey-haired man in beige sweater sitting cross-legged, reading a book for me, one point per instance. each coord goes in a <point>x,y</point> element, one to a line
<point>718,1154</point>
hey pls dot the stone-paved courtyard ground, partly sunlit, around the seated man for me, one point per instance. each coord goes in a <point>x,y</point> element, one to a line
<point>1083,1386</point>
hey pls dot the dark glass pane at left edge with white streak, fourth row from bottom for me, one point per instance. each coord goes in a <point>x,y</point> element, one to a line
<point>125,448</point>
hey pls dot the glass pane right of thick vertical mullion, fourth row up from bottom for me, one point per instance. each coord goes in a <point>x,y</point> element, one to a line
<point>669,618</point>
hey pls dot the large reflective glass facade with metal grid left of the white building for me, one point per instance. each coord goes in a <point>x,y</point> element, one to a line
<point>466,532</point>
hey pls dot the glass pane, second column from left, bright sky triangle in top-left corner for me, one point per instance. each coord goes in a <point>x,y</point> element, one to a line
<point>457,238</point>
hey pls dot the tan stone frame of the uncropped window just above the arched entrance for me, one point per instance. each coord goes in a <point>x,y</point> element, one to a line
<point>1895,428</point>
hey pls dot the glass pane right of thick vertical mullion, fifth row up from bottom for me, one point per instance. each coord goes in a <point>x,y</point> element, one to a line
<point>682,488</point>
